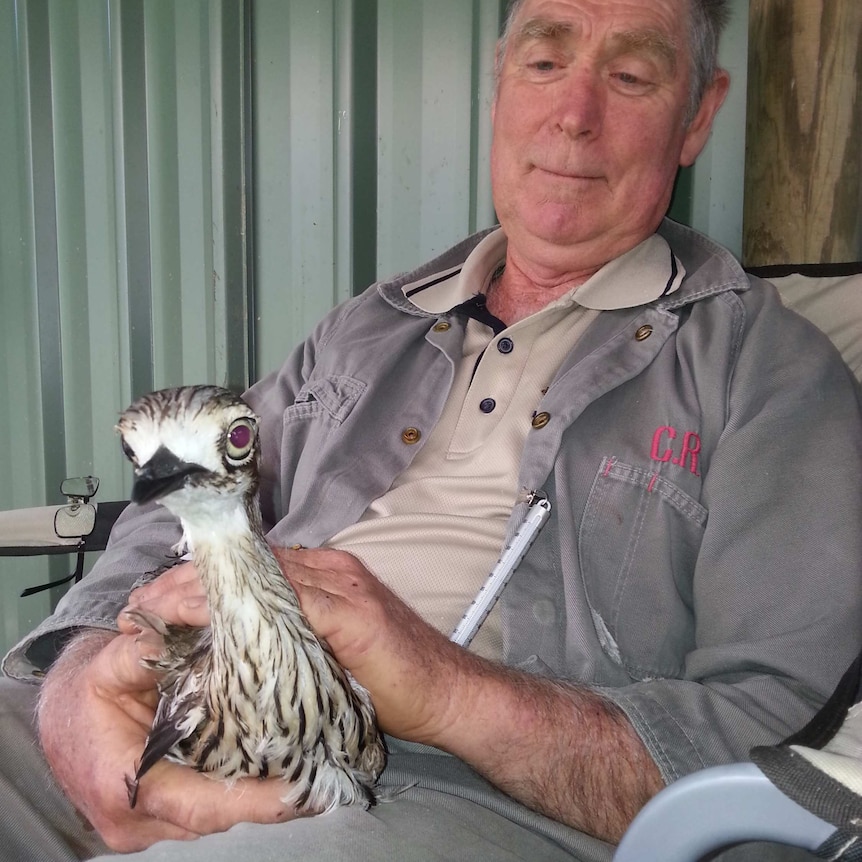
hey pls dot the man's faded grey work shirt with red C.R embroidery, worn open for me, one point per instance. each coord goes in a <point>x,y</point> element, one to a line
<point>703,454</point>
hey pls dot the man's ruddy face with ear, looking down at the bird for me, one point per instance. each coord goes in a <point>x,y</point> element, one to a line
<point>589,125</point>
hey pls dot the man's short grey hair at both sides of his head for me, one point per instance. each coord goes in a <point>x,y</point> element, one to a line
<point>708,19</point>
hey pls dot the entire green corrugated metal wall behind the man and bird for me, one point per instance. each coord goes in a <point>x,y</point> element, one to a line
<point>189,185</point>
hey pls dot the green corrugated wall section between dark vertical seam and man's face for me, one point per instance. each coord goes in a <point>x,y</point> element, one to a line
<point>376,107</point>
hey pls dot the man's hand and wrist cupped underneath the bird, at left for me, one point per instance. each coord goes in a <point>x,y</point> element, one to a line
<point>96,709</point>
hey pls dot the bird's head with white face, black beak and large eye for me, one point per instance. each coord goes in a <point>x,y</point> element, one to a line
<point>190,443</point>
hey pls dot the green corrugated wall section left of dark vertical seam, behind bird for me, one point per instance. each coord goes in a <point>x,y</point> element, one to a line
<point>122,228</point>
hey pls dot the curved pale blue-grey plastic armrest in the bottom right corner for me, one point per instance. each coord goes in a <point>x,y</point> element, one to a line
<point>715,808</point>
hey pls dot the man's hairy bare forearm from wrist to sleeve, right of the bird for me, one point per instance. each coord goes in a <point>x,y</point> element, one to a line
<point>559,749</point>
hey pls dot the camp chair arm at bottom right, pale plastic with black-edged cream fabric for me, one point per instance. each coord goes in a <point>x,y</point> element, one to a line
<point>805,792</point>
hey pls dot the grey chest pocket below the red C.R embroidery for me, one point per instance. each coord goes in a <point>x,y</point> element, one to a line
<point>637,547</point>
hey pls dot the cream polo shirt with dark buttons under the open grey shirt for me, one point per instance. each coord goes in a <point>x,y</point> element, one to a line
<point>435,535</point>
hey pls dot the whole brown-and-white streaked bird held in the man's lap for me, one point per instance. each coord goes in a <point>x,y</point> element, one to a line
<point>256,693</point>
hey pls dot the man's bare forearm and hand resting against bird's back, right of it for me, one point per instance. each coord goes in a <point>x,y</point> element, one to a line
<point>560,749</point>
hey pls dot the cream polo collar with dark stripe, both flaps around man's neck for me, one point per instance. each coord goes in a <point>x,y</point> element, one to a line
<point>645,273</point>
